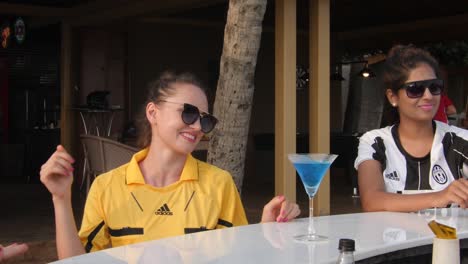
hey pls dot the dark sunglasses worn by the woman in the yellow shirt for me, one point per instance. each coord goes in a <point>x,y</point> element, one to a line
<point>191,113</point>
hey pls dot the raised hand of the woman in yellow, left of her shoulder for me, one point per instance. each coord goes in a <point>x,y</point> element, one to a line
<point>57,173</point>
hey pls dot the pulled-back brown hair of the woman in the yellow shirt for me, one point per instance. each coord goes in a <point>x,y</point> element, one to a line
<point>158,90</point>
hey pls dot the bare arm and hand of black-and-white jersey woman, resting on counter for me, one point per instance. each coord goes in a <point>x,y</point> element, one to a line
<point>374,197</point>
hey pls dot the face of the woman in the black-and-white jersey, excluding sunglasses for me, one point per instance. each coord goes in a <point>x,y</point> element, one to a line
<point>416,109</point>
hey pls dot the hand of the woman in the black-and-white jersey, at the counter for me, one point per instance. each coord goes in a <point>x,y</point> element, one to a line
<point>456,192</point>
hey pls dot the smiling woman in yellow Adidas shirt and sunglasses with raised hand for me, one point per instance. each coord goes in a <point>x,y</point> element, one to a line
<point>163,191</point>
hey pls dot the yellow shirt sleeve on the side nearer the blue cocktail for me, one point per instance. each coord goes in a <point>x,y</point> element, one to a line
<point>232,210</point>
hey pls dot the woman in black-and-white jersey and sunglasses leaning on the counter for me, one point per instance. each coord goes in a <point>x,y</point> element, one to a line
<point>415,154</point>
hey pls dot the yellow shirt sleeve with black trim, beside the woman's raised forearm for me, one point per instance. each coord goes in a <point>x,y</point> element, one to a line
<point>94,232</point>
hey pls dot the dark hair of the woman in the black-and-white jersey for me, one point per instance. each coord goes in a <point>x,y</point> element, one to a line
<point>401,59</point>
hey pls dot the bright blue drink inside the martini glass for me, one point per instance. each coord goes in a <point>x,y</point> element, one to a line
<point>311,174</point>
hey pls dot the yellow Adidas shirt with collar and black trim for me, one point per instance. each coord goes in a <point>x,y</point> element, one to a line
<point>121,209</point>
